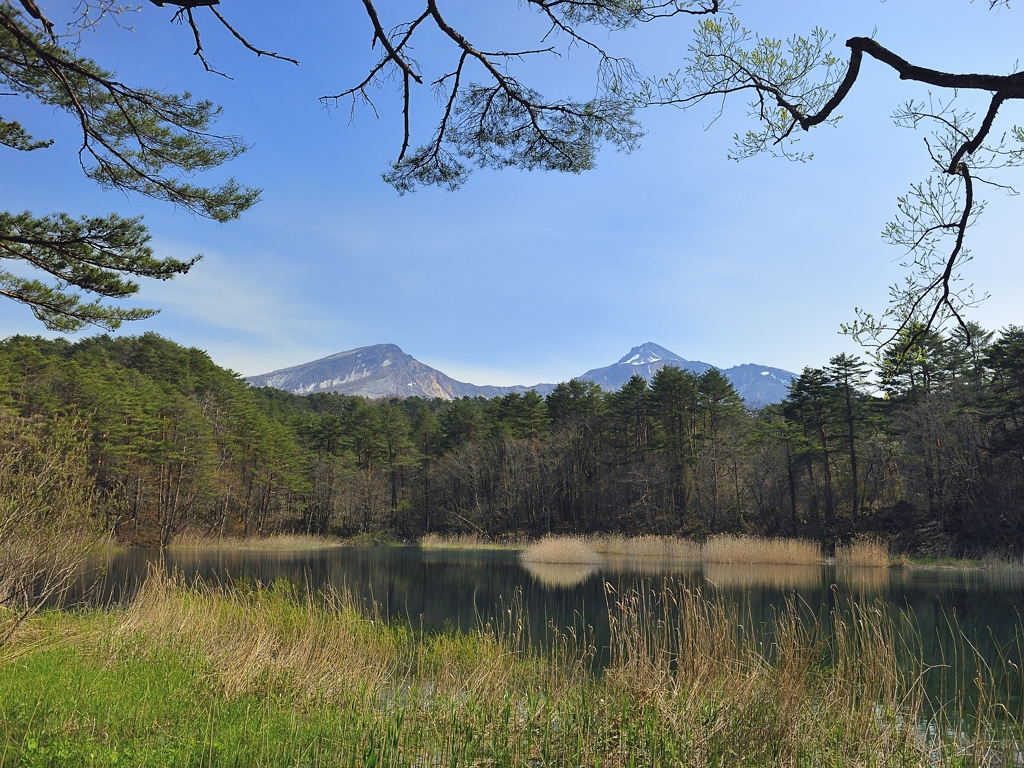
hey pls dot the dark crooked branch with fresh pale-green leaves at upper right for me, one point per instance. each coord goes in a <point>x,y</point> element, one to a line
<point>798,84</point>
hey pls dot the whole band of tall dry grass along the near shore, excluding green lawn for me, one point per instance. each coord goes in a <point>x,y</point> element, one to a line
<point>687,676</point>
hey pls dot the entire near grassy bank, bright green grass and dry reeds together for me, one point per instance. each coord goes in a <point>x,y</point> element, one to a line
<point>196,676</point>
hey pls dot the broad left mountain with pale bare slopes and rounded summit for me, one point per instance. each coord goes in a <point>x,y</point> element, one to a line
<point>379,371</point>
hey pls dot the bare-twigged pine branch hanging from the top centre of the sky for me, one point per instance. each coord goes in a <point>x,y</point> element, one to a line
<point>498,121</point>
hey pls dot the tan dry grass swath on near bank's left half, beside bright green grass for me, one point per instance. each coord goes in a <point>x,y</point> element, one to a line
<point>326,648</point>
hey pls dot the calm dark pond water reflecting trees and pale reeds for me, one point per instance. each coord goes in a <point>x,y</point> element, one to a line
<point>453,589</point>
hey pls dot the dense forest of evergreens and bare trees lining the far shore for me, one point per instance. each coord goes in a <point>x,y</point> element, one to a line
<point>935,460</point>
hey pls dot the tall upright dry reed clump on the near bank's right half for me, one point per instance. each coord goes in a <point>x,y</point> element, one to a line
<point>696,663</point>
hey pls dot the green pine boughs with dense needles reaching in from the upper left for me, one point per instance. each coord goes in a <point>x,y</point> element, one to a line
<point>134,140</point>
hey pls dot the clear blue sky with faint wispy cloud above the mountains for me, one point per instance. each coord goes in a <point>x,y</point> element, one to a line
<point>522,278</point>
